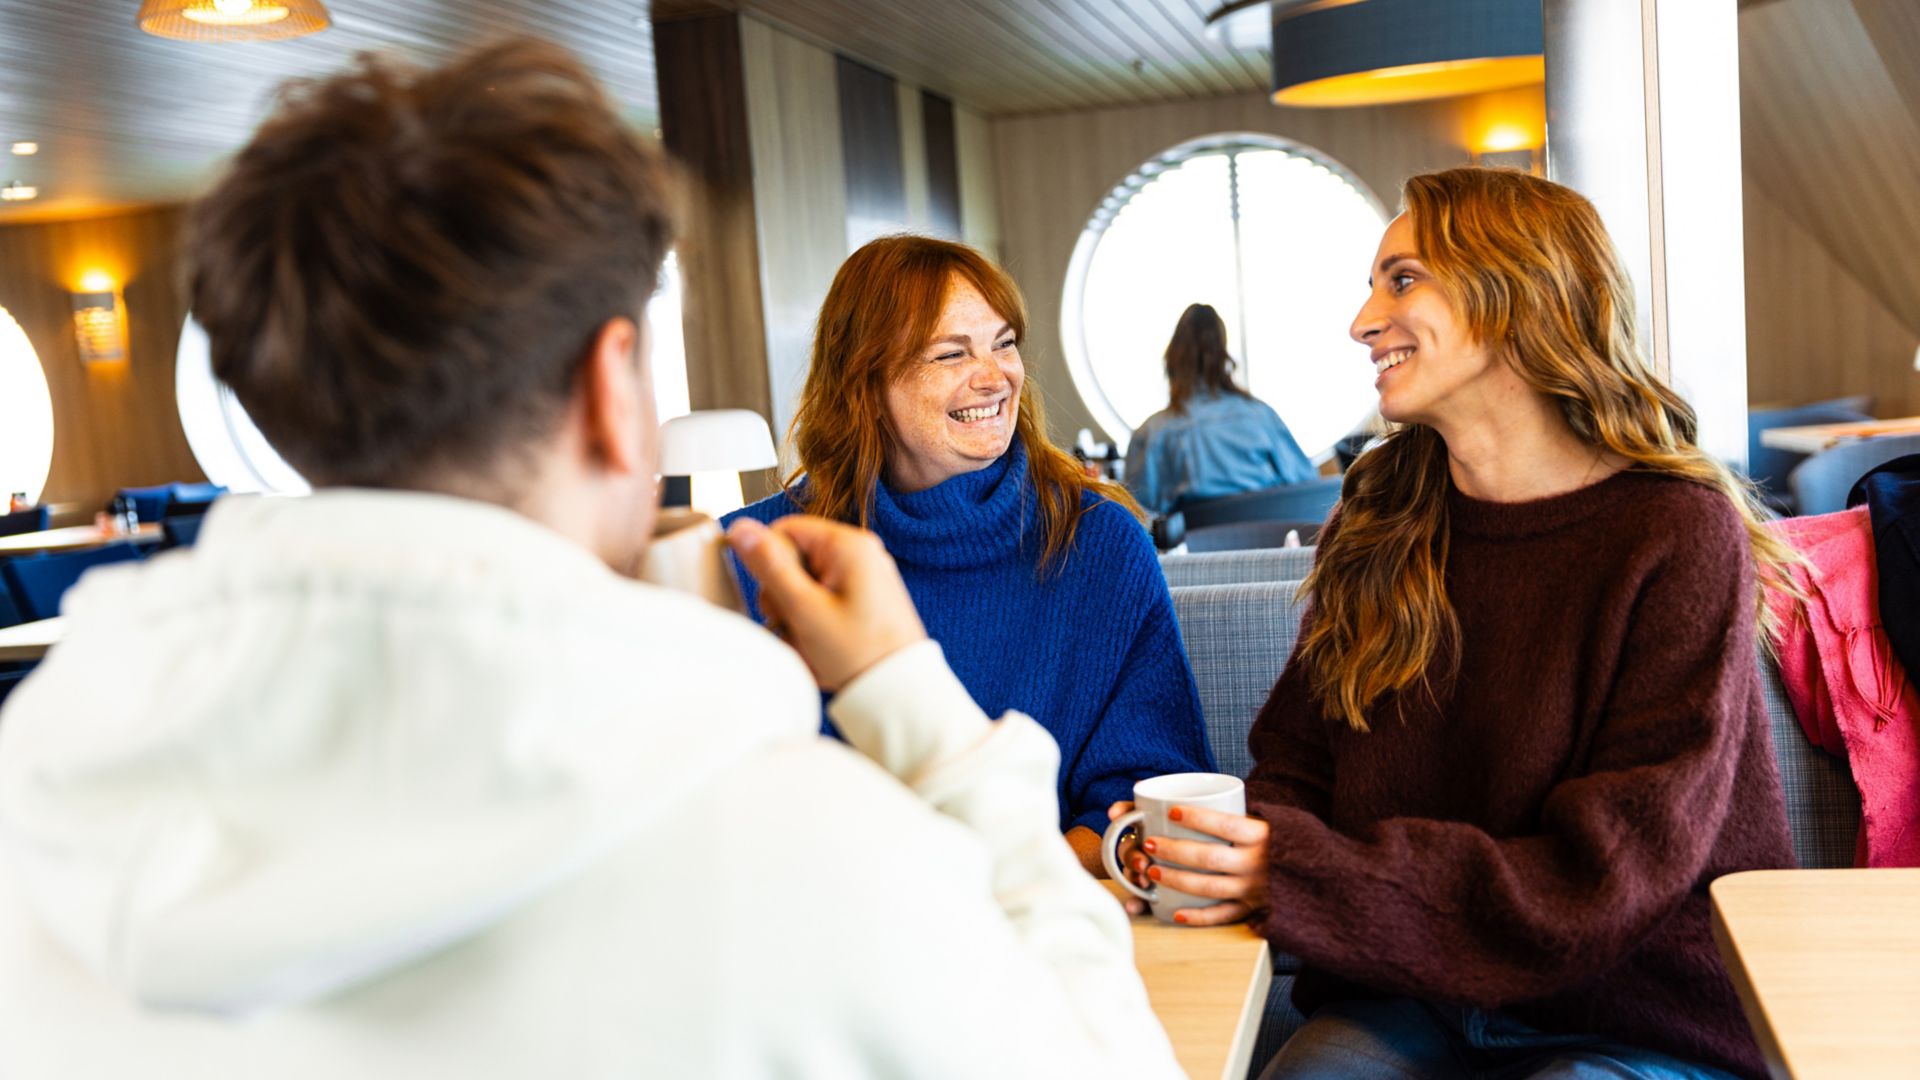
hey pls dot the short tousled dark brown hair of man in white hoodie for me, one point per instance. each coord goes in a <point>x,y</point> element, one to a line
<point>404,270</point>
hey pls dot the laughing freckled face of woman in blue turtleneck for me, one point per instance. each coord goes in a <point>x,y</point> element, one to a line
<point>953,410</point>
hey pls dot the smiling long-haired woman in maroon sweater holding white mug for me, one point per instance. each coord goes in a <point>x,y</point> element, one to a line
<point>1524,729</point>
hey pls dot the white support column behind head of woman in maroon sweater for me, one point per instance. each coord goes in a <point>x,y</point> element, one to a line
<point>1644,120</point>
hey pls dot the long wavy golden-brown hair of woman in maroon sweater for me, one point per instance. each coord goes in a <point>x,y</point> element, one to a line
<point>1524,262</point>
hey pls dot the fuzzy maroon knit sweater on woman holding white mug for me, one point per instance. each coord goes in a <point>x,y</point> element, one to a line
<point>1539,837</point>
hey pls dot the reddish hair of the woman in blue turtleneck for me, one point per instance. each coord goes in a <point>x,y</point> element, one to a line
<point>878,316</point>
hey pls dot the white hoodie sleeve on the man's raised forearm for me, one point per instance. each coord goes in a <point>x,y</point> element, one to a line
<point>913,716</point>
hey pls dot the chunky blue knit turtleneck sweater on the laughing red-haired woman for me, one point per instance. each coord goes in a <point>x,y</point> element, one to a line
<point>1090,650</point>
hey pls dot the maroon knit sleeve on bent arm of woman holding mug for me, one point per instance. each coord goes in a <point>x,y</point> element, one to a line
<point>1449,912</point>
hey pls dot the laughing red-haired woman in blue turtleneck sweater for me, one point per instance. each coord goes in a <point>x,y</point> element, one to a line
<point>1038,583</point>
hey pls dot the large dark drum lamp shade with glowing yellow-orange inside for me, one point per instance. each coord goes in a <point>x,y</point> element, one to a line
<point>1404,51</point>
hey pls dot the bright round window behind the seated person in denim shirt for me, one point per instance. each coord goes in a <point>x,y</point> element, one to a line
<point>1274,235</point>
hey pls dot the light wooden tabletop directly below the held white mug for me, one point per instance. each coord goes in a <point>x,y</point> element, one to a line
<point>1209,987</point>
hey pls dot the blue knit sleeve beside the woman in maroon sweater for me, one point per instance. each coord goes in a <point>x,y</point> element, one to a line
<point>1151,722</point>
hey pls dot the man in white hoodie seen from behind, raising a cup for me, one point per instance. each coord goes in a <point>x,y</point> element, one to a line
<point>408,779</point>
